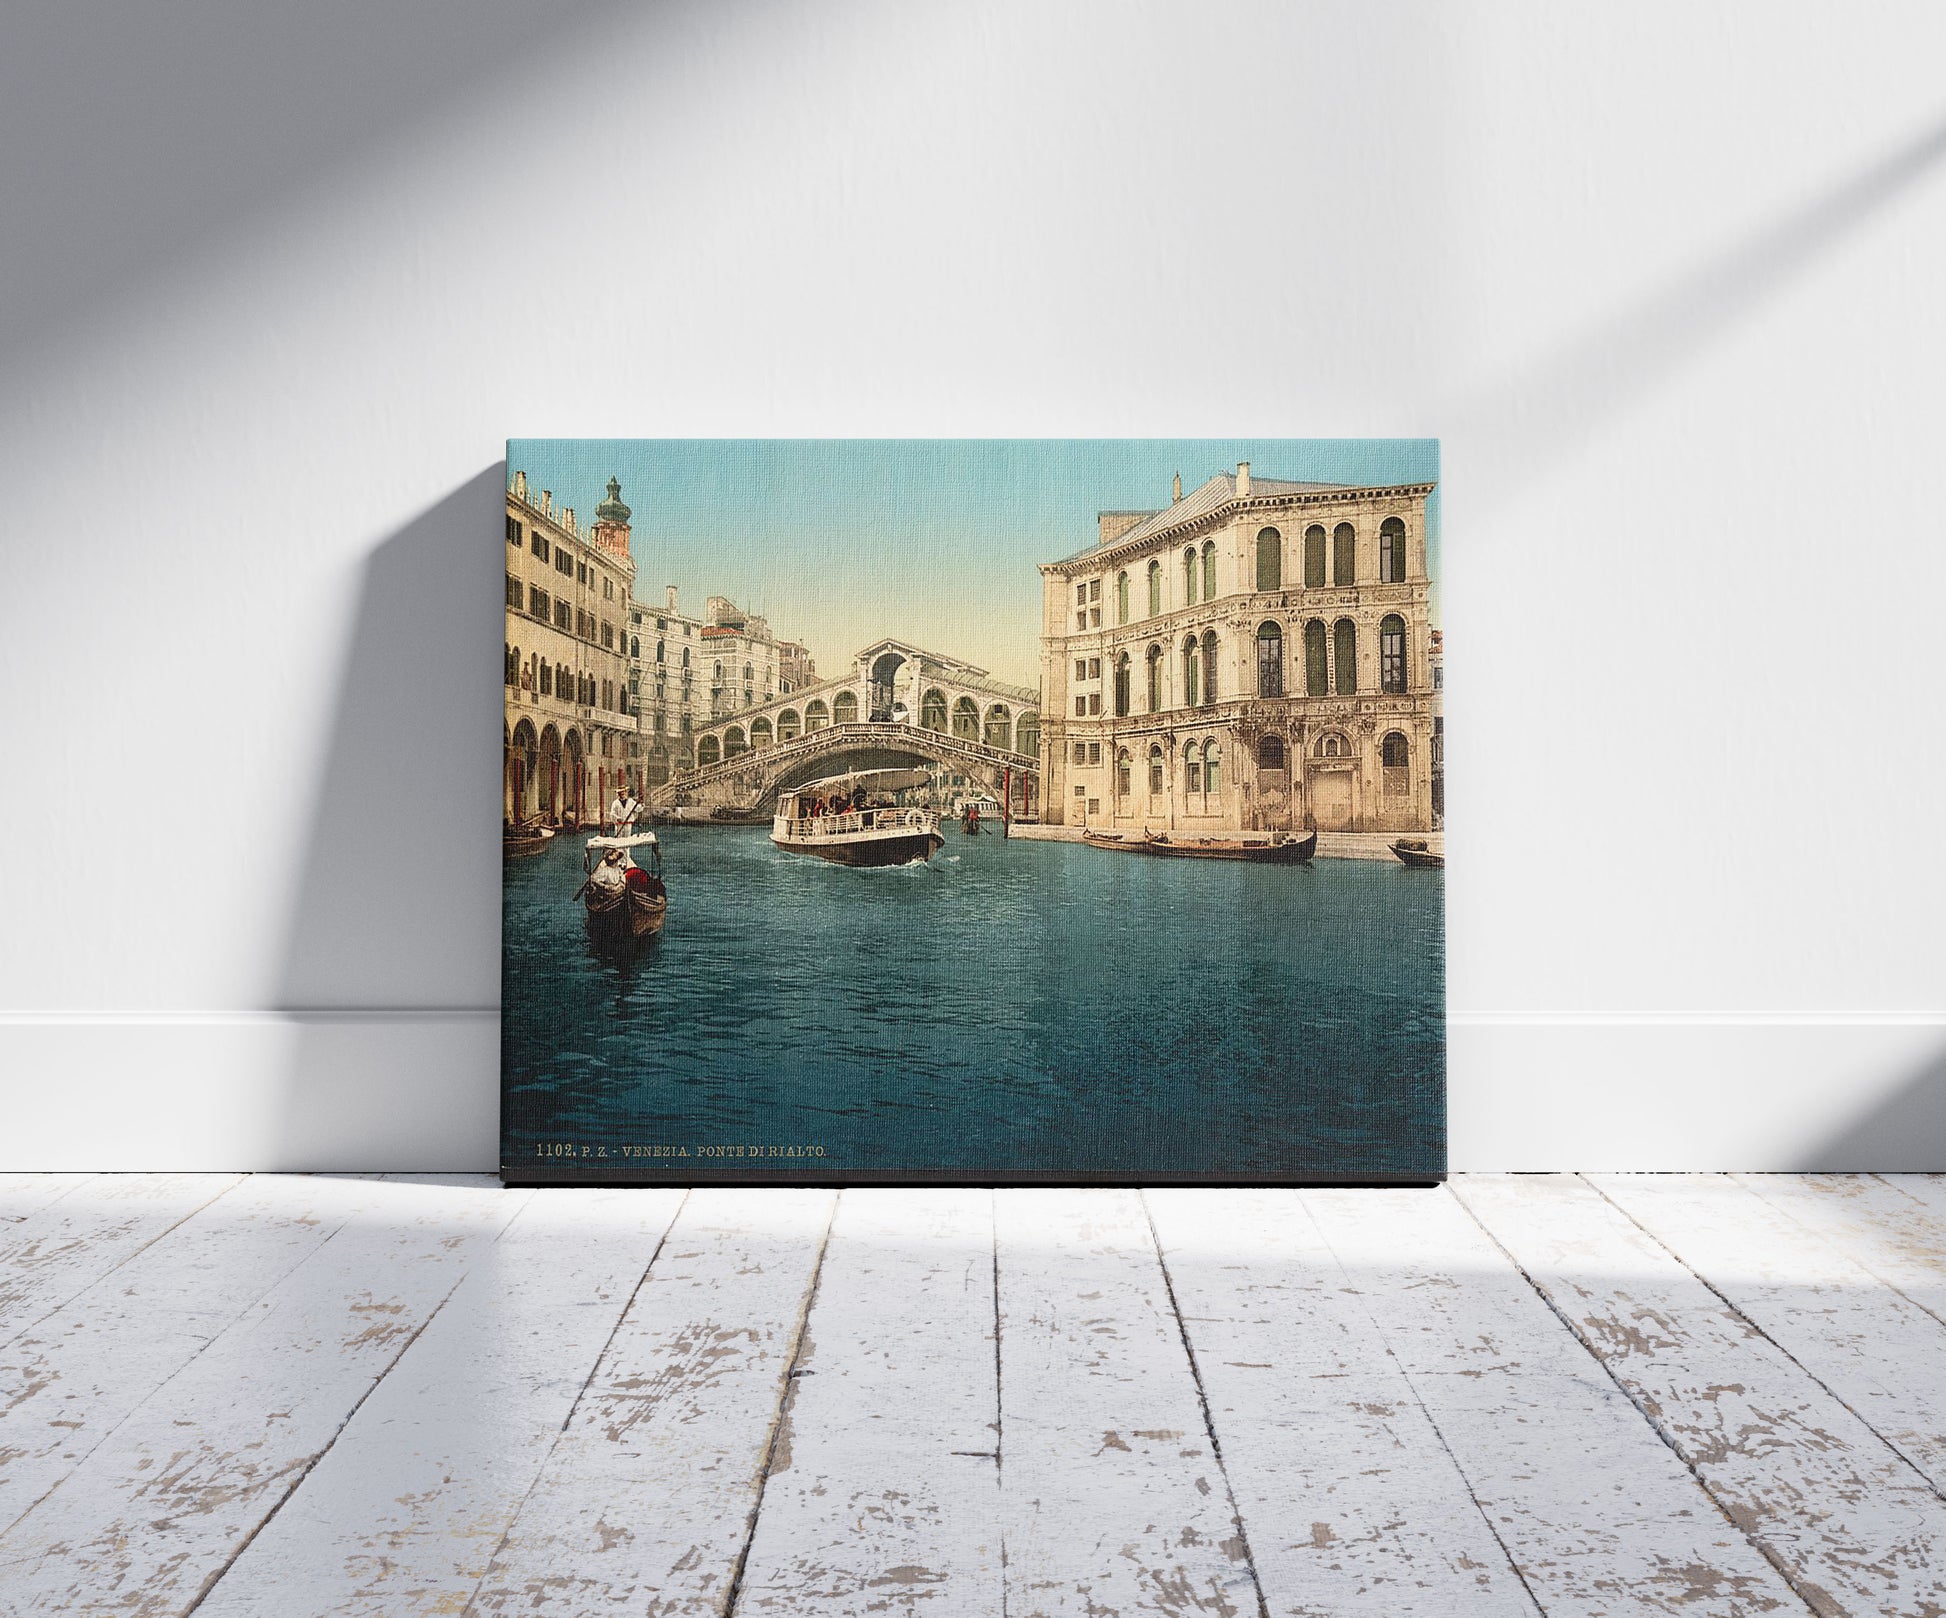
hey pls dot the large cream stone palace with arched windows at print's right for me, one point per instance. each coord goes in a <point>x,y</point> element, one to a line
<point>1252,657</point>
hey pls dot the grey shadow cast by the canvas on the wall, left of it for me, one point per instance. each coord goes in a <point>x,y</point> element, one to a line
<point>392,959</point>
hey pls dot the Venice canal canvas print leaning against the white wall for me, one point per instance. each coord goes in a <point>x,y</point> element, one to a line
<point>990,811</point>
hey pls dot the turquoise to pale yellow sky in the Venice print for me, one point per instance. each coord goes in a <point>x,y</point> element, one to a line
<point>842,542</point>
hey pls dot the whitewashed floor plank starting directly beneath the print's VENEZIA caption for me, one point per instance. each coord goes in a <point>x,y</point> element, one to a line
<point>406,1512</point>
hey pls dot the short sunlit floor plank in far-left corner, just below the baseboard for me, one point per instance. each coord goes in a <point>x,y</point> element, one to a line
<point>63,1247</point>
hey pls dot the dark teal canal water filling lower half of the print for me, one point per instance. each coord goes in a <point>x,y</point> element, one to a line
<point>1009,1008</point>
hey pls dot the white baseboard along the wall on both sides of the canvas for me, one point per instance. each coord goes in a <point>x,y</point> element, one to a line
<point>419,1091</point>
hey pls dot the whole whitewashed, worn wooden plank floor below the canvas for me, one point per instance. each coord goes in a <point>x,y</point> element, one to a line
<point>1560,1395</point>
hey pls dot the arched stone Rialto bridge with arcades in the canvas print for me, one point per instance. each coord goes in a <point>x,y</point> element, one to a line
<point>898,704</point>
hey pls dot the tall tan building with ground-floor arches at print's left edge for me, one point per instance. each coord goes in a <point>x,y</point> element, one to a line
<point>571,731</point>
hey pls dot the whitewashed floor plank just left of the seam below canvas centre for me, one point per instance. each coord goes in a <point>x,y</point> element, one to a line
<point>884,1489</point>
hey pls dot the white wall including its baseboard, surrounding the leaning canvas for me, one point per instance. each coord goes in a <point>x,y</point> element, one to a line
<point>1667,281</point>
